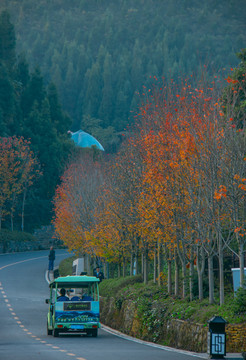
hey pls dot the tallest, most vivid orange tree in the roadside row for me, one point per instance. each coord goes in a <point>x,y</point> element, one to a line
<point>169,150</point>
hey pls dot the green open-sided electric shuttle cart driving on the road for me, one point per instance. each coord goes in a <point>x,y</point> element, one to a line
<point>73,306</point>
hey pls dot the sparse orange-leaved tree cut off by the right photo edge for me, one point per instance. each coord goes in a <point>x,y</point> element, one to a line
<point>230,192</point>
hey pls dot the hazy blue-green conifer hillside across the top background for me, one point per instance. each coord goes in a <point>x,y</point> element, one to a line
<point>100,53</point>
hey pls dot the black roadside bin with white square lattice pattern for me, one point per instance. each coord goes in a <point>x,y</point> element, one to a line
<point>217,338</point>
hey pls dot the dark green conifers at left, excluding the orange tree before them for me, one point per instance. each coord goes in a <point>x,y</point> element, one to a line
<point>31,109</point>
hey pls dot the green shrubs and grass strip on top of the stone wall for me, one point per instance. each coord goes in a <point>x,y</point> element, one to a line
<point>132,288</point>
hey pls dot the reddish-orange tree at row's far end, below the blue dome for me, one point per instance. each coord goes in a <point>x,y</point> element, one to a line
<point>75,203</point>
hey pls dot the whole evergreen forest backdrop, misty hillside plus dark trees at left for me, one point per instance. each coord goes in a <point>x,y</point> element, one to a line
<point>86,64</point>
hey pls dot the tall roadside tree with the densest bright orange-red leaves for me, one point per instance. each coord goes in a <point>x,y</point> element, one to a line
<point>167,151</point>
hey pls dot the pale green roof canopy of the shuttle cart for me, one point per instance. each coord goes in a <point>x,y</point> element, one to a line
<point>74,281</point>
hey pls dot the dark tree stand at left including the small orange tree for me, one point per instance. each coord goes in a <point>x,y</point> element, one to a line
<point>34,143</point>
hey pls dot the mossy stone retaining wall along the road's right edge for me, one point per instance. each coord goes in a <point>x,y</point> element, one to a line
<point>175,333</point>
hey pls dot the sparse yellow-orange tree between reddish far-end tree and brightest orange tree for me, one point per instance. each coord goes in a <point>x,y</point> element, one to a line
<point>123,182</point>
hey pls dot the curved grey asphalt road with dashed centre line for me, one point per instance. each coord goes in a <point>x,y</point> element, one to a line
<point>23,290</point>
